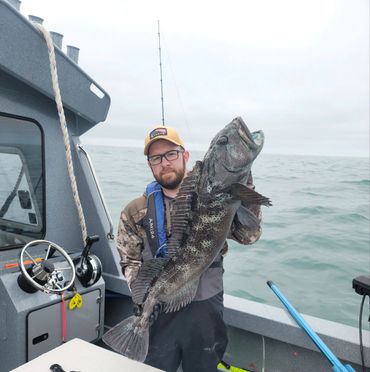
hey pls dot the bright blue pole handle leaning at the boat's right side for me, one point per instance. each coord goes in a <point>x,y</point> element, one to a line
<point>334,361</point>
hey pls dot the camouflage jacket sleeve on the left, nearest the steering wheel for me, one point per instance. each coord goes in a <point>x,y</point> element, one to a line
<point>130,246</point>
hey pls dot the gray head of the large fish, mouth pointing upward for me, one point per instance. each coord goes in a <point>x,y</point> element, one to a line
<point>230,156</point>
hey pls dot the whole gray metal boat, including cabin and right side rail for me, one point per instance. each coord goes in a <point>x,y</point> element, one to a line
<point>39,222</point>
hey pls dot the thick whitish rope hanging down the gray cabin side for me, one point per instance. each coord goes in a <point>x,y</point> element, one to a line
<point>63,125</point>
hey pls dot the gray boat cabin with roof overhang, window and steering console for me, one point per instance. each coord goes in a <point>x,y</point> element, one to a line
<point>51,284</point>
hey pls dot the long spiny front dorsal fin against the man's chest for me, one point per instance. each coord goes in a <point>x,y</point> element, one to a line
<point>181,209</point>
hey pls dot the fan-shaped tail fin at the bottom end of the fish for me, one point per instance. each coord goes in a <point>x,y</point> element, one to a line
<point>128,339</point>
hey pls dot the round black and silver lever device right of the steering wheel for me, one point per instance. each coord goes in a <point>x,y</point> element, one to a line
<point>88,267</point>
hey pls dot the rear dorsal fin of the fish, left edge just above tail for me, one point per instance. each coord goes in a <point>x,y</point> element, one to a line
<point>148,272</point>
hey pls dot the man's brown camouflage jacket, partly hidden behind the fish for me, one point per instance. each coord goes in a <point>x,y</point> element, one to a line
<point>131,236</point>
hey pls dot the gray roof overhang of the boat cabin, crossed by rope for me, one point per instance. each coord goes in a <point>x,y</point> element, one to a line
<point>24,56</point>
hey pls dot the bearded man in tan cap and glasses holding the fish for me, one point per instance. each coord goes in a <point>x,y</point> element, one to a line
<point>194,336</point>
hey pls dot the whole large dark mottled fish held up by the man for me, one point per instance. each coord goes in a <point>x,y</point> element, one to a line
<point>208,200</point>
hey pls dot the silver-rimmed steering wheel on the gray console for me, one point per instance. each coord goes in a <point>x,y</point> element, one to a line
<point>42,275</point>
